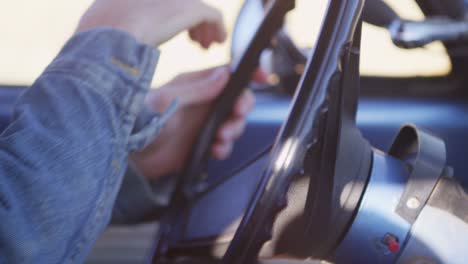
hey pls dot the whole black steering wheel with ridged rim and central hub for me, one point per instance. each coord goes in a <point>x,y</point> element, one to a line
<point>319,154</point>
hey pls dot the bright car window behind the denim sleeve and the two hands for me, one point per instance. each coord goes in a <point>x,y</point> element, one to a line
<point>32,33</point>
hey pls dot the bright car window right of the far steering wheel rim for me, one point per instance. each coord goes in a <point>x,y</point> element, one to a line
<point>380,57</point>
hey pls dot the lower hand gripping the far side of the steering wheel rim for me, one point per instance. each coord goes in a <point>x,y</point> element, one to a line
<point>195,92</point>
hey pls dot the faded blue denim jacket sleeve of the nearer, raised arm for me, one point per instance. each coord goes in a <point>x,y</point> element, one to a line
<point>64,155</point>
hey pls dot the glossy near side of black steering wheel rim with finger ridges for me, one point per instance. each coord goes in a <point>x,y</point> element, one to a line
<point>303,133</point>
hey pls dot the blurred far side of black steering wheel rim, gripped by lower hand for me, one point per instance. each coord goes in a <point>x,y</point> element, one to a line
<point>191,181</point>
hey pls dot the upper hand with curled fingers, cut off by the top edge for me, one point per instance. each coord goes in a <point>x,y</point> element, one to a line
<point>153,22</point>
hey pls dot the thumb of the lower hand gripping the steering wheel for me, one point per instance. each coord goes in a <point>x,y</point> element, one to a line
<point>205,87</point>
